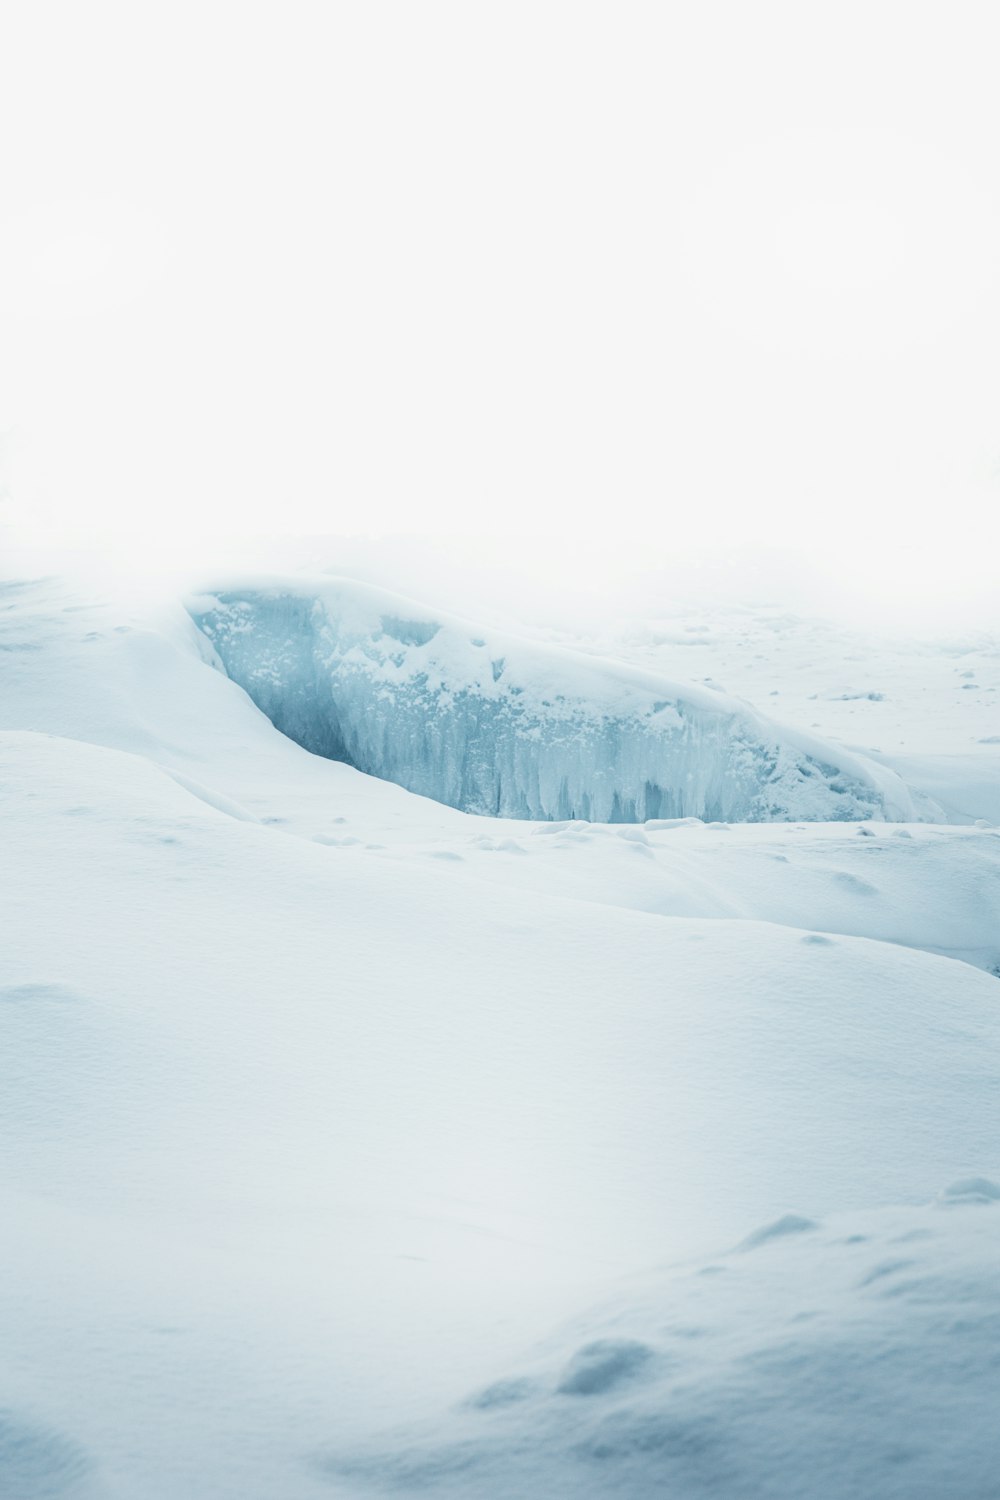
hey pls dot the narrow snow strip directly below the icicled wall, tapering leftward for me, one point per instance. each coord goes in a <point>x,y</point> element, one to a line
<point>921,886</point>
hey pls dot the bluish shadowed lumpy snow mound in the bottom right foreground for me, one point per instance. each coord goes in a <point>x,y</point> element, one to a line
<point>855,1360</point>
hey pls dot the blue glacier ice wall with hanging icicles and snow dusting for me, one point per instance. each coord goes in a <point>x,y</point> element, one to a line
<point>497,725</point>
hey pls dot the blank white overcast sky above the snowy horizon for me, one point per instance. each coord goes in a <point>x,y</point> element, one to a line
<point>606,281</point>
